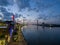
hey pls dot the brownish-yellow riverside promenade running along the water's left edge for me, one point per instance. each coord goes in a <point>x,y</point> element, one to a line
<point>20,40</point>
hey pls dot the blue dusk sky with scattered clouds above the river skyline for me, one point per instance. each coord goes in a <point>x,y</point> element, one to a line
<point>44,10</point>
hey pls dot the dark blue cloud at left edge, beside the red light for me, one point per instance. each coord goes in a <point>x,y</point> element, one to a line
<point>6,14</point>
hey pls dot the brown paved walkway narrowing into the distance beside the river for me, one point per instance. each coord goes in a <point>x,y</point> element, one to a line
<point>20,40</point>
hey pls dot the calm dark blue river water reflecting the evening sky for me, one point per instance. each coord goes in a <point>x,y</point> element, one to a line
<point>38,35</point>
